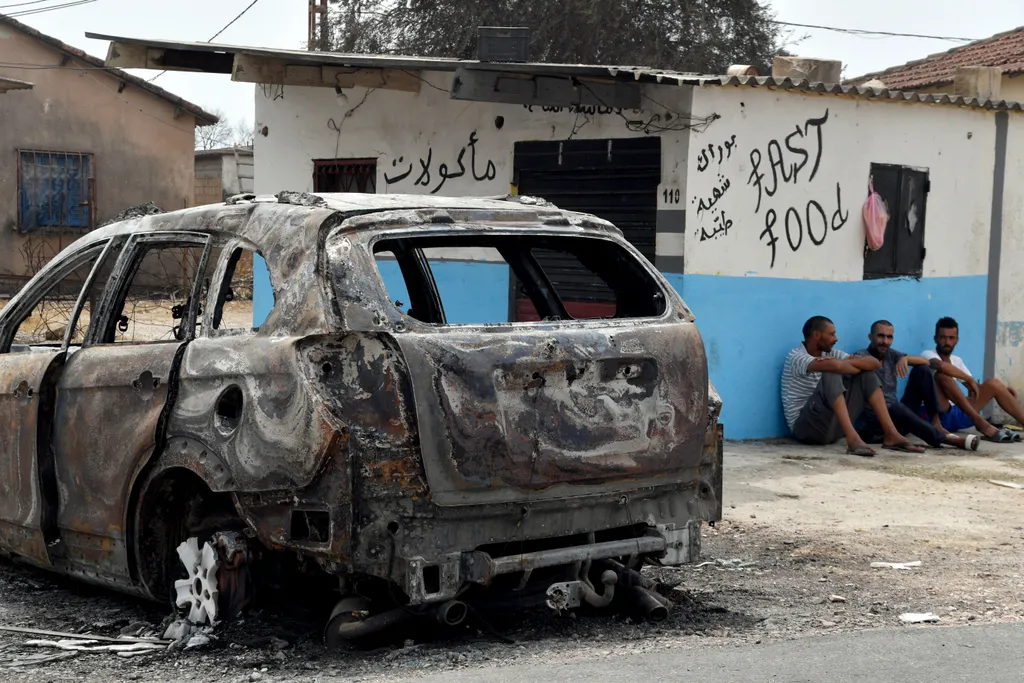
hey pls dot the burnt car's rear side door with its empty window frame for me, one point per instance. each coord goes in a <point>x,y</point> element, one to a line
<point>96,486</point>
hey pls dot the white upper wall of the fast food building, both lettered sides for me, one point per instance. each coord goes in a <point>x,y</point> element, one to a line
<point>416,138</point>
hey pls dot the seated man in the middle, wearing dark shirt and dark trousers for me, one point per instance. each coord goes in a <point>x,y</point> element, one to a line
<point>897,364</point>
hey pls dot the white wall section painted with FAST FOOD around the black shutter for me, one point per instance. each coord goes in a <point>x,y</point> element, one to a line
<point>955,145</point>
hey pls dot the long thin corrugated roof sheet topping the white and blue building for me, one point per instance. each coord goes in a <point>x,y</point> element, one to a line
<point>220,60</point>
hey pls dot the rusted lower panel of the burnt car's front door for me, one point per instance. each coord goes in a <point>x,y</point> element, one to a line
<point>22,399</point>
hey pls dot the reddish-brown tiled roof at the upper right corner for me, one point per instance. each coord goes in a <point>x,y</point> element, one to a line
<point>1004,50</point>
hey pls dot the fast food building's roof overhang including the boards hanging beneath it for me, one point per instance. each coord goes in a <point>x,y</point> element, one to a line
<point>527,83</point>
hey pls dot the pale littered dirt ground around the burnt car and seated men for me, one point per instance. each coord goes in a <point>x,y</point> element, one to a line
<point>792,559</point>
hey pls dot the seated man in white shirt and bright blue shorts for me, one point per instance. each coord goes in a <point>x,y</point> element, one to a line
<point>954,411</point>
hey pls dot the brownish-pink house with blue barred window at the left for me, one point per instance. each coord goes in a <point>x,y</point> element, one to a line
<point>80,143</point>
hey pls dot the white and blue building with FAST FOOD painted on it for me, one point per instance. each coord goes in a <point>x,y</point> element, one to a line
<point>746,192</point>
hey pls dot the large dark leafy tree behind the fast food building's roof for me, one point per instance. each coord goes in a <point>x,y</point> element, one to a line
<point>700,36</point>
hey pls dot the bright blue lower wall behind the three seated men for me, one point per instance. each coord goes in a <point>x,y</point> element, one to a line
<point>750,324</point>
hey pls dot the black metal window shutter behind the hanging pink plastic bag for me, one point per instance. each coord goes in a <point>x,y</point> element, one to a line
<point>906,193</point>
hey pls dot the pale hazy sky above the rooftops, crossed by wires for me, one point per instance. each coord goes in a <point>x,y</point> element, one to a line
<point>283,24</point>
